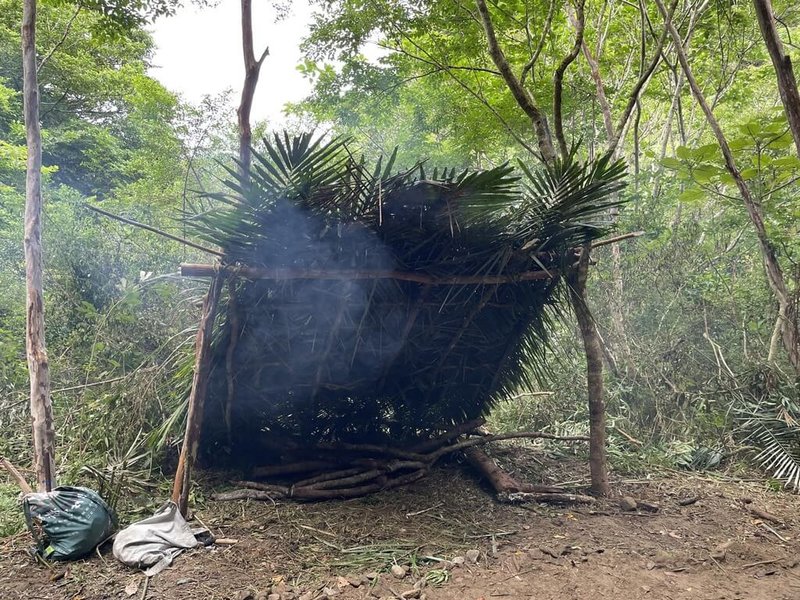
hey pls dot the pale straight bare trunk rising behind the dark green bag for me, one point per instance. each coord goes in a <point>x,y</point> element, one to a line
<point>38,367</point>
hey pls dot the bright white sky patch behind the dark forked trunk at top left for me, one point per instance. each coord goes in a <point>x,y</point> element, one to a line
<point>199,52</point>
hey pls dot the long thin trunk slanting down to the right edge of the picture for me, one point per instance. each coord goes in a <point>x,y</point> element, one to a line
<point>775,278</point>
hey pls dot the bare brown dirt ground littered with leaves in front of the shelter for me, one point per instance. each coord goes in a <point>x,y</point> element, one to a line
<point>456,542</point>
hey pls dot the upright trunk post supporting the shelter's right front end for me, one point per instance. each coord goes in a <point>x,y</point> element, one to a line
<point>598,463</point>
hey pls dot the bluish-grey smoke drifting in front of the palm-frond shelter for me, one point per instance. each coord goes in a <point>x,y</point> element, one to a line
<point>311,347</point>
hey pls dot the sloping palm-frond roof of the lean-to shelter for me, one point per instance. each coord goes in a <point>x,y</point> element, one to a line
<point>382,357</point>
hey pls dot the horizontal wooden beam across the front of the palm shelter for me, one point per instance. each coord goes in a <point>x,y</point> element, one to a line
<point>200,270</point>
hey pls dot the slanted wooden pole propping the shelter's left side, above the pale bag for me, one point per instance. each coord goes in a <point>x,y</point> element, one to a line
<point>197,397</point>
